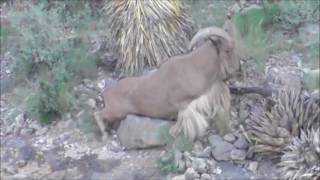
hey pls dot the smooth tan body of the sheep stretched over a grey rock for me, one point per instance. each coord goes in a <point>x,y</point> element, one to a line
<point>169,91</point>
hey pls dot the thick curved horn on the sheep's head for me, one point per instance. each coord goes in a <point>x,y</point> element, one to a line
<point>210,32</point>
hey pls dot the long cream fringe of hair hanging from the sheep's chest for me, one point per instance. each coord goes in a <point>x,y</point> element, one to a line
<point>211,107</point>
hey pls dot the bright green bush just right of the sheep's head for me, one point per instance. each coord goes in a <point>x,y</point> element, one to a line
<point>252,23</point>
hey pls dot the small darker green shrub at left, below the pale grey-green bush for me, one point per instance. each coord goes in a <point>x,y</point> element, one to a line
<point>53,96</point>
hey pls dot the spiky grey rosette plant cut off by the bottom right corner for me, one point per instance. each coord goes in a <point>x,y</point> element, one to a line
<point>301,158</point>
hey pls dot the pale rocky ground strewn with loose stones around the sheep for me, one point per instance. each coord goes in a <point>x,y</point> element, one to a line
<point>71,148</point>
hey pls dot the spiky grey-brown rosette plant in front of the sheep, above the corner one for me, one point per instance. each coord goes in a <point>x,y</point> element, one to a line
<point>273,130</point>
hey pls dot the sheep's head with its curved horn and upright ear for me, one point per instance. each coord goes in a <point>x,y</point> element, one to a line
<point>225,42</point>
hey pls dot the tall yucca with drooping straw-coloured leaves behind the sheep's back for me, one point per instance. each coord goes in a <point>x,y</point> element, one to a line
<point>147,32</point>
